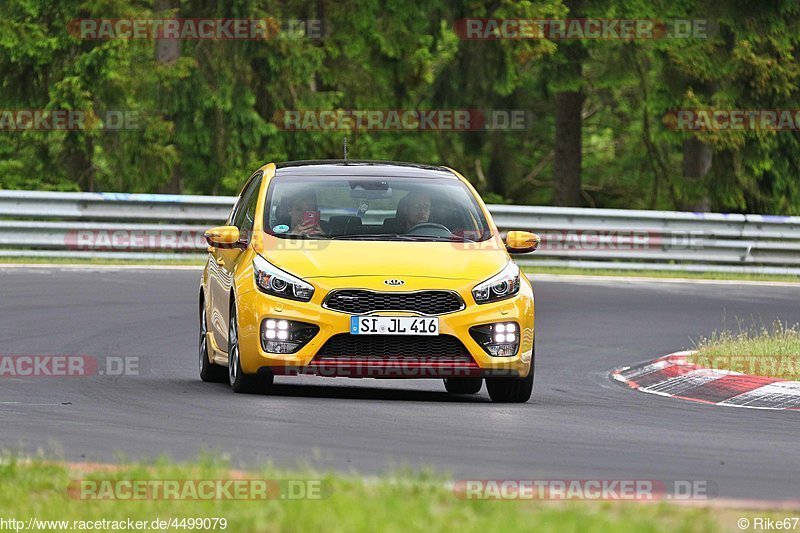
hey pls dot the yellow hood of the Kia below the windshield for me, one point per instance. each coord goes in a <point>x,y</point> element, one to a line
<point>335,259</point>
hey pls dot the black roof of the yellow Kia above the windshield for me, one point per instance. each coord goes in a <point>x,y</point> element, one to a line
<point>353,167</point>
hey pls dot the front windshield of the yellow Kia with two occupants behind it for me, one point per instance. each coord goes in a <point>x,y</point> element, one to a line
<point>373,208</point>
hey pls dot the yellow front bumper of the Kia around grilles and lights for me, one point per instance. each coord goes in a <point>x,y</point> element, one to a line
<point>255,306</point>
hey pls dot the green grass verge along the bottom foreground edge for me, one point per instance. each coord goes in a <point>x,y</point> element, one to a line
<point>407,502</point>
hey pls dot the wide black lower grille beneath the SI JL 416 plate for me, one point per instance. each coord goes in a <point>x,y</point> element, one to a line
<point>402,347</point>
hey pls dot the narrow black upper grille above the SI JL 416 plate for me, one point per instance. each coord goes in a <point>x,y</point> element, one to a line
<point>355,302</point>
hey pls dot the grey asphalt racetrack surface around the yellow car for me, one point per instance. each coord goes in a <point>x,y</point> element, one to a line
<point>578,425</point>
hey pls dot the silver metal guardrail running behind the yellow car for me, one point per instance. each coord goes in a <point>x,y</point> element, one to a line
<point>157,226</point>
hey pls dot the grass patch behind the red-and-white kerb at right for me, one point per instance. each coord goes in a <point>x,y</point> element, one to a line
<point>761,351</point>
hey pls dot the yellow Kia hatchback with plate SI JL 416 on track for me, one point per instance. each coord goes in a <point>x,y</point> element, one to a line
<point>366,269</point>
